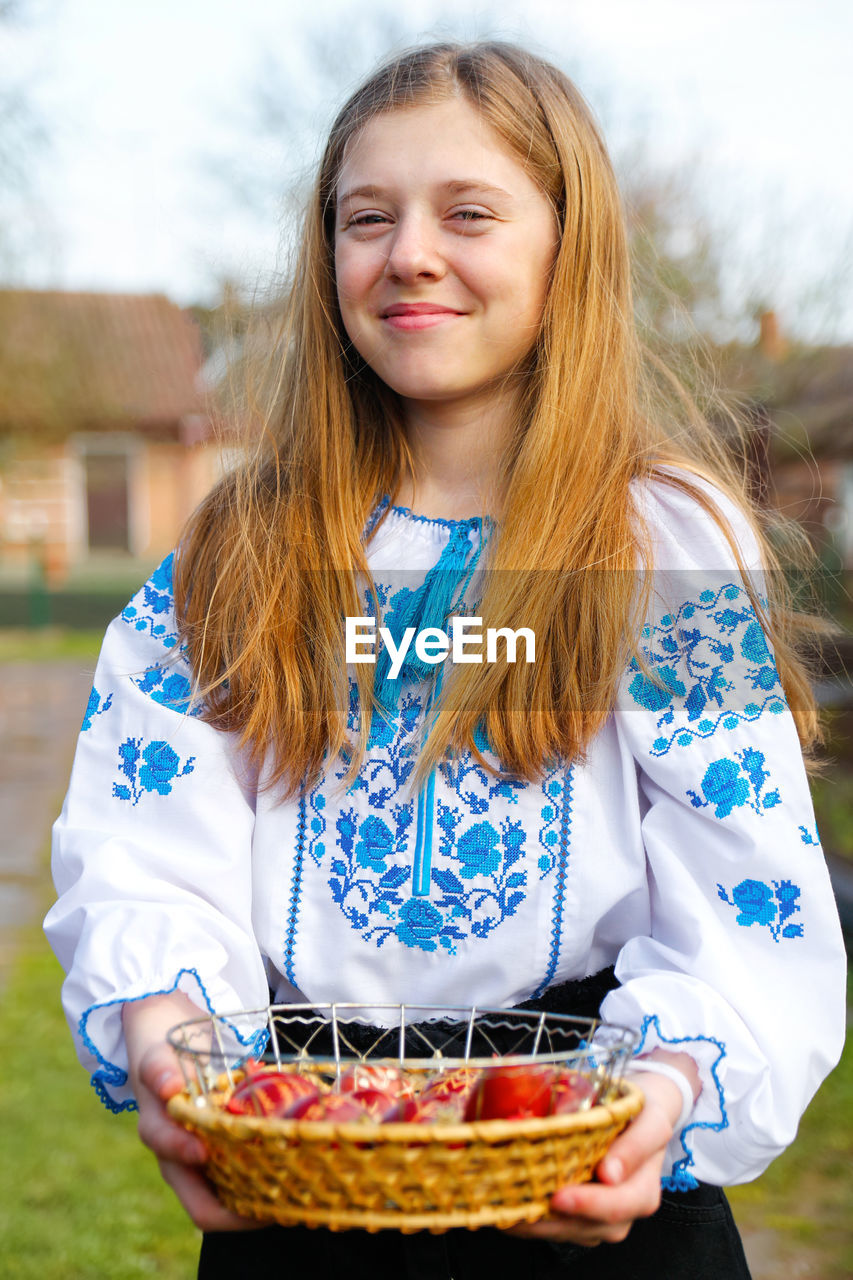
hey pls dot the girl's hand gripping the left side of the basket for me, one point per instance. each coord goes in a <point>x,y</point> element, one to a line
<point>157,1077</point>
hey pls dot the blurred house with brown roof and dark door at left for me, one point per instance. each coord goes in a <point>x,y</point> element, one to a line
<point>106,445</point>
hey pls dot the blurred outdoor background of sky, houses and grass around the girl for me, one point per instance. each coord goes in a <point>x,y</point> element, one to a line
<point>153,162</point>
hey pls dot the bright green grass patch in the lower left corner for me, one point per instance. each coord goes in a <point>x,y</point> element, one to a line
<point>80,1197</point>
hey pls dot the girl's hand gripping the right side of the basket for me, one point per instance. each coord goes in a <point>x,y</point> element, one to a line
<point>628,1178</point>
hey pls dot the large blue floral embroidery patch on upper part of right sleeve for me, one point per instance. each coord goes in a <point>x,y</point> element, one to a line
<point>710,666</point>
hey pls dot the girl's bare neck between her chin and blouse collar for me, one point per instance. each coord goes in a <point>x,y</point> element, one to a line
<point>458,458</point>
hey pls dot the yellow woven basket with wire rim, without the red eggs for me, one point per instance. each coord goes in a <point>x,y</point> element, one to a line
<point>409,1177</point>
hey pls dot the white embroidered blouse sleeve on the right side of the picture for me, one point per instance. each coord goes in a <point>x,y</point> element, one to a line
<point>745,967</point>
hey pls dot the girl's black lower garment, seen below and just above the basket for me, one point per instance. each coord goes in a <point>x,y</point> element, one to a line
<point>691,1237</point>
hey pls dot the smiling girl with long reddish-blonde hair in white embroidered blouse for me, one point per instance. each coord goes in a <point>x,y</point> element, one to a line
<point>457,423</point>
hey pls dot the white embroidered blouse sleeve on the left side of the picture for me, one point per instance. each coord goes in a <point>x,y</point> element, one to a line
<point>152,854</point>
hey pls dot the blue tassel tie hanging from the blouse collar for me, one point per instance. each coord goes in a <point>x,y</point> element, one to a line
<point>430,606</point>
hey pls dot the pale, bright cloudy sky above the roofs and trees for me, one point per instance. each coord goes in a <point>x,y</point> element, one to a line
<point>159,173</point>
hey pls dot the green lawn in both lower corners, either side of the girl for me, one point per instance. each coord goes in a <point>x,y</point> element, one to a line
<point>80,1197</point>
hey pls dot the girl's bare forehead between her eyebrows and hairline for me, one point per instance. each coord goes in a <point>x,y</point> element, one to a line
<point>435,144</point>
